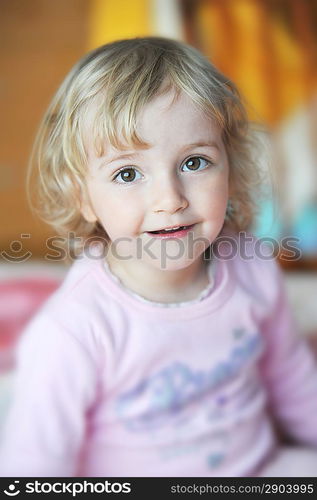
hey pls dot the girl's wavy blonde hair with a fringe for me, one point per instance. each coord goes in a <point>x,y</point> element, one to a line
<point>121,77</point>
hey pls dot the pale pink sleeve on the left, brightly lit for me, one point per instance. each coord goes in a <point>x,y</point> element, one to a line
<point>54,387</point>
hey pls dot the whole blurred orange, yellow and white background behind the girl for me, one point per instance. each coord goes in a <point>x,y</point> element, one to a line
<point>268,47</point>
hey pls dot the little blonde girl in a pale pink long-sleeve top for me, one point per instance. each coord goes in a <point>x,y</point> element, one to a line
<point>169,350</point>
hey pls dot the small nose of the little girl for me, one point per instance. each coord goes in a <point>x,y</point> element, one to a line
<point>168,196</point>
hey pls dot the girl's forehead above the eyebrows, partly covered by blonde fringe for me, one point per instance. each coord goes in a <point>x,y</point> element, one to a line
<point>169,117</point>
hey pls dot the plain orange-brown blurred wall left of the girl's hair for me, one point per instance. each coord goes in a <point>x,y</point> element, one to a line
<point>39,41</point>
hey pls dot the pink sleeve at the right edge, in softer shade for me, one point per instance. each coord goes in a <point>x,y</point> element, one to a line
<point>290,371</point>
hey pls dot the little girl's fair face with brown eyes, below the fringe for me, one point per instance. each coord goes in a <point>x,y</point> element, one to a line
<point>180,180</point>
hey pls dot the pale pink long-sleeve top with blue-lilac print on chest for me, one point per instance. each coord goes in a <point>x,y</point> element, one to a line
<point>108,384</point>
